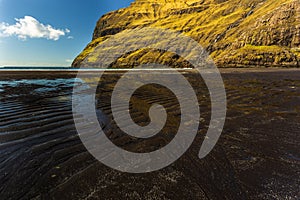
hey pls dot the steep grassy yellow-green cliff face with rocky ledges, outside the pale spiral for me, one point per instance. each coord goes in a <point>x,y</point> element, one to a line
<point>235,32</point>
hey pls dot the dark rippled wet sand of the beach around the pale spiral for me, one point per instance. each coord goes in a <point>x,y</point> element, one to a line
<point>257,156</point>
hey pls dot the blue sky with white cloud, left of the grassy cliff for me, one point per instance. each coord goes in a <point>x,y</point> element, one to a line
<point>48,33</point>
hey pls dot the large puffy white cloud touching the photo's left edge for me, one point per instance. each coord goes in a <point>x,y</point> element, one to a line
<point>29,27</point>
